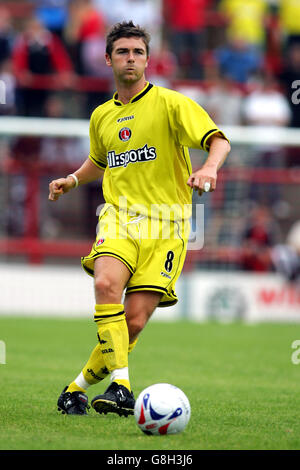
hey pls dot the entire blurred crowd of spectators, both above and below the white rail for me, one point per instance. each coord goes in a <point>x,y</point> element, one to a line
<point>239,59</point>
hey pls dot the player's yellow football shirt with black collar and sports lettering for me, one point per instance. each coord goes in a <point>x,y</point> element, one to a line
<point>143,148</point>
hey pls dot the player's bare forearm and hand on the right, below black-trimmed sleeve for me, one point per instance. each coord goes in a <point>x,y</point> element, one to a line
<point>219,148</point>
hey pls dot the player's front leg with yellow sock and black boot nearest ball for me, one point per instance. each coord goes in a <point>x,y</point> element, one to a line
<point>113,335</point>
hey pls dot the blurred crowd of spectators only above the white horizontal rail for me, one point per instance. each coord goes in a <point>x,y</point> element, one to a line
<point>240,59</point>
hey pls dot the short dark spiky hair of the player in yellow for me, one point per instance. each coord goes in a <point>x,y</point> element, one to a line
<point>126,30</point>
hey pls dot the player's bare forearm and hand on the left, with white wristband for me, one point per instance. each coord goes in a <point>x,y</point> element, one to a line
<point>87,173</point>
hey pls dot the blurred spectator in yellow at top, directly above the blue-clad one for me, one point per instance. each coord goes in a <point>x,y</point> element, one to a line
<point>245,20</point>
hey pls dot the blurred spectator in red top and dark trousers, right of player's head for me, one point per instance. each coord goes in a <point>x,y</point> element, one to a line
<point>186,22</point>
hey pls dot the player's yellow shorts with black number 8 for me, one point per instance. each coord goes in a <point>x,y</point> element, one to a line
<point>153,250</point>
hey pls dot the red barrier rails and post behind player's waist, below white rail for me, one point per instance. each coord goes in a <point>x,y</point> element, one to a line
<point>36,249</point>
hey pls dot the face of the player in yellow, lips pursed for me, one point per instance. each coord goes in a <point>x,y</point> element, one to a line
<point>128,59</point>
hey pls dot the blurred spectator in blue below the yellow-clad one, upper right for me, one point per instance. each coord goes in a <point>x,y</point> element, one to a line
<point>238,60</point>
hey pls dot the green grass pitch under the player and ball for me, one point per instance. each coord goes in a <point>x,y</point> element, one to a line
<point>243,388</point>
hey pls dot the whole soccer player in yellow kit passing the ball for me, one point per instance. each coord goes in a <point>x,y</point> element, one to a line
<point>139,143</point>
